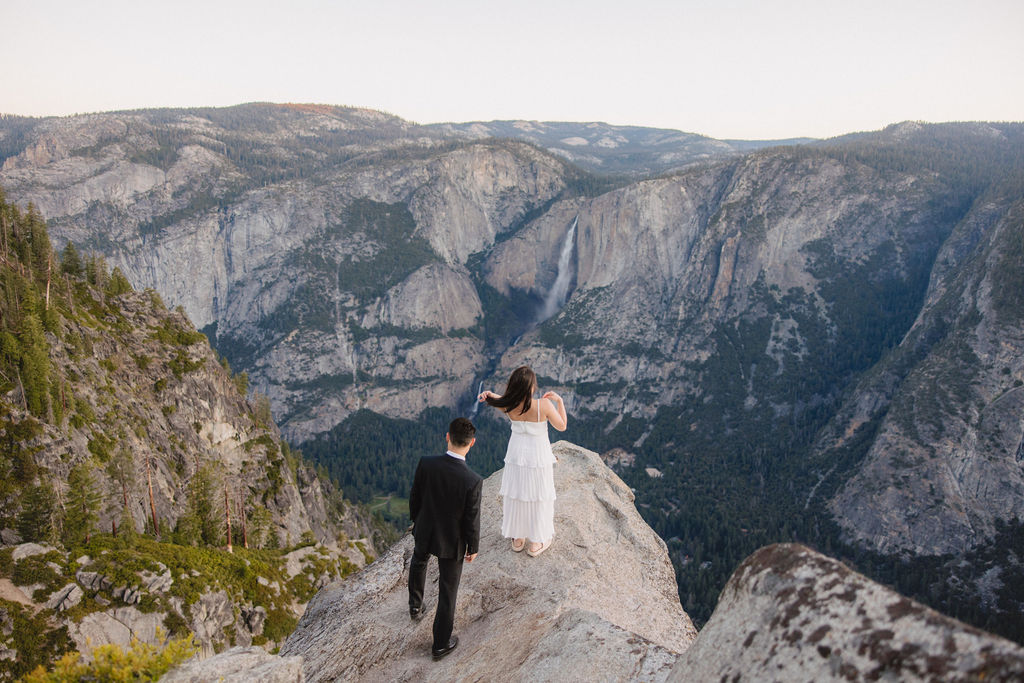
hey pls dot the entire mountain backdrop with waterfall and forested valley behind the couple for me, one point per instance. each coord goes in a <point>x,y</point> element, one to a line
<point>814,343</point>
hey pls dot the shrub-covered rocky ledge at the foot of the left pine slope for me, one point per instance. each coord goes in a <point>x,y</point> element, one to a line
<point>140,605</point>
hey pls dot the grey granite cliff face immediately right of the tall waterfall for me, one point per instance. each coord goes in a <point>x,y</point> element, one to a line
<point>664,266</point>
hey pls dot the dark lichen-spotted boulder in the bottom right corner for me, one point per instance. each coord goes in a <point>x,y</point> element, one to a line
<point>792,615</point>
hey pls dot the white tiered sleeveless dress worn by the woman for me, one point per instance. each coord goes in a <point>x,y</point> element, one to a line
<point>529,484</point>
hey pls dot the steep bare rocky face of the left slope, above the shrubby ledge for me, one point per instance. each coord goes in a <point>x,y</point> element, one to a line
<point>142,381</point>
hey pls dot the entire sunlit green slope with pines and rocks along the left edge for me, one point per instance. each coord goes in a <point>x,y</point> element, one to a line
<point>140,490</point>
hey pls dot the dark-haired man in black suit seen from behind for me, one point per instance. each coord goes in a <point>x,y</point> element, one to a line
<point>445,505</point>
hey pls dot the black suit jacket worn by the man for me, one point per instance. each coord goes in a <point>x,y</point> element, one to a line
<point>445,505</point>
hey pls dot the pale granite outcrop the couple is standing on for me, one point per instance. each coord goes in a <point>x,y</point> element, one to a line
<point>606,581</point>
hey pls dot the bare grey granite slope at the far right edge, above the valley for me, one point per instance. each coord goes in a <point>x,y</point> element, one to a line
<point>946,465</point>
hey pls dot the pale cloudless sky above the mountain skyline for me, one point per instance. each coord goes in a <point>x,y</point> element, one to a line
<point>730,69</point>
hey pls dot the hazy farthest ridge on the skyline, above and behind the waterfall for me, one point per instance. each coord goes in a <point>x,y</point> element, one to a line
<point>600,148</point>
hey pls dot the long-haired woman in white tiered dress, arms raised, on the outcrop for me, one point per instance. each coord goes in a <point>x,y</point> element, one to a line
<point>528,483</point>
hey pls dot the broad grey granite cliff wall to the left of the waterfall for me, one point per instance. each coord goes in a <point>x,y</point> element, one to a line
<point>296,276</point>
